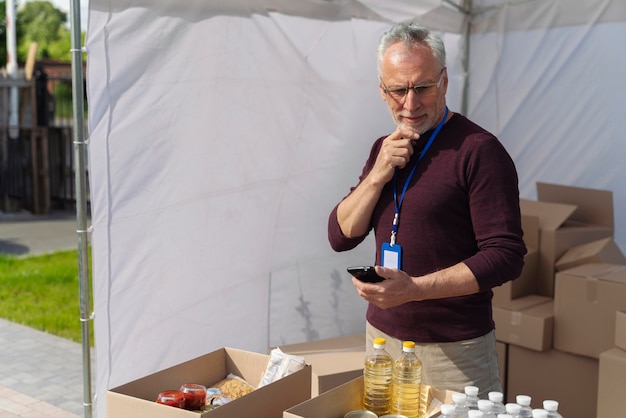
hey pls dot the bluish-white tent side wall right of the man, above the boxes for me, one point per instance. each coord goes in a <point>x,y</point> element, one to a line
<point>554,93</point>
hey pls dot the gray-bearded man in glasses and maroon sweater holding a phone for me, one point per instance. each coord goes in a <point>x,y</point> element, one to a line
<point>441,195</point>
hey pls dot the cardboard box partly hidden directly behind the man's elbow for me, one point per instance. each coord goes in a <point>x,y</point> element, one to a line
<point>526,284</point>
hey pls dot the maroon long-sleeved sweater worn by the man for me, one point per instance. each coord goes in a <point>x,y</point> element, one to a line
<point>462,206</point>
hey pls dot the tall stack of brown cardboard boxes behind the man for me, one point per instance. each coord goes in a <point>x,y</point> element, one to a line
<point>557,329</point>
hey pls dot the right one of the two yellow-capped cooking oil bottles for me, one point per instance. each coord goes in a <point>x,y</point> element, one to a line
<point>406,382</point>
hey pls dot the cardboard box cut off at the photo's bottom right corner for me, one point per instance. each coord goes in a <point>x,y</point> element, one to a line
<point>612,384</point>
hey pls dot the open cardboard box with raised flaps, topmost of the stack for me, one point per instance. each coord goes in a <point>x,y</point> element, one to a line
<point>568,216</point>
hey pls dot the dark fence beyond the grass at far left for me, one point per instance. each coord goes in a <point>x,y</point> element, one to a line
<point>37,157</point>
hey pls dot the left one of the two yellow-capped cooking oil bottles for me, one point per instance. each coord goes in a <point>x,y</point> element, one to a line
<point>377,379</point>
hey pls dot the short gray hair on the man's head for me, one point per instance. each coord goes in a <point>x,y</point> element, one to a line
<point>411,33</point>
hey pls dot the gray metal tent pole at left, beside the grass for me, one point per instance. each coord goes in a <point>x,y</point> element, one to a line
<point>80,153</point>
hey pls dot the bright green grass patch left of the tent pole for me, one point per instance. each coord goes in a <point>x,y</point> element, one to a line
<point>42,292</point>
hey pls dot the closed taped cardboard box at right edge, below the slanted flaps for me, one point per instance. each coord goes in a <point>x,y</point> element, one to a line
<point>585,302</point>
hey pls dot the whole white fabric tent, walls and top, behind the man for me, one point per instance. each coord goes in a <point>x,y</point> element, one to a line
<point>223,133</point>
